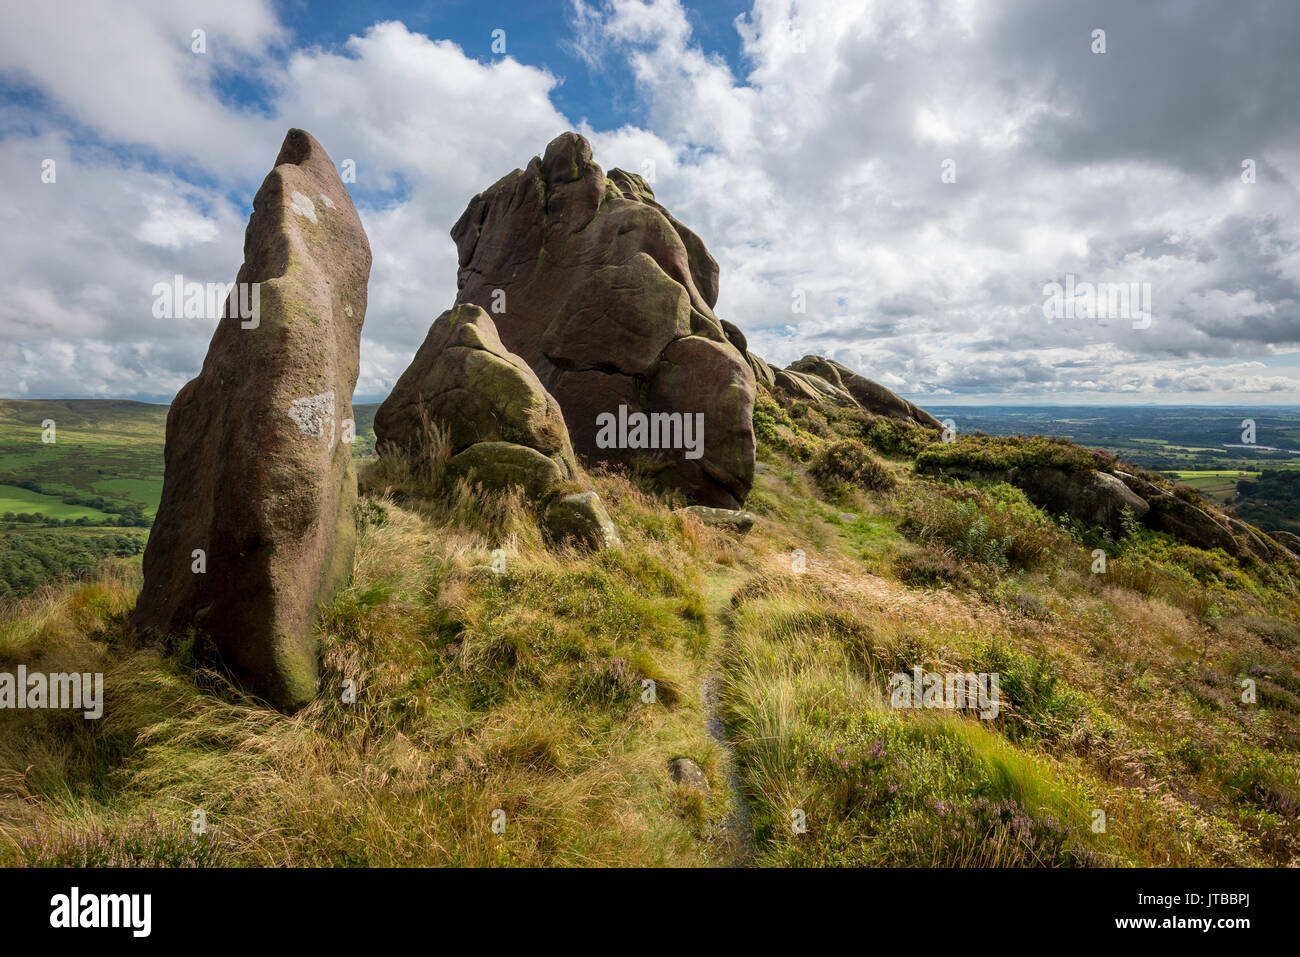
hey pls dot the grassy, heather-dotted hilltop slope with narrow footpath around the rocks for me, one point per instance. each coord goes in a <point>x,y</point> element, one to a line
<point>523,692</point>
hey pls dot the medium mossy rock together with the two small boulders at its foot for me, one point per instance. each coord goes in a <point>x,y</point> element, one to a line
<point>504,428</point>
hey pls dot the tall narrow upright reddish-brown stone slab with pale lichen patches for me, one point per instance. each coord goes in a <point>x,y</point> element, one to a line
<point>257,526</point>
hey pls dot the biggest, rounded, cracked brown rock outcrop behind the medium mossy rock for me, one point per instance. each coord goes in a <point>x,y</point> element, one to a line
<point>609,300</point>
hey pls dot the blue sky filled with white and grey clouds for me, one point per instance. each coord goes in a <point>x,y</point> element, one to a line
<point>892,184</point>
